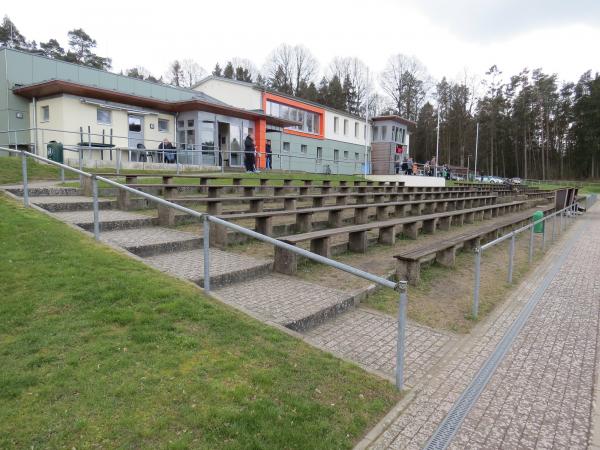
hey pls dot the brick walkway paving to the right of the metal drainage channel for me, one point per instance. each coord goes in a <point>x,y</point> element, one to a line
<point>541,394</point>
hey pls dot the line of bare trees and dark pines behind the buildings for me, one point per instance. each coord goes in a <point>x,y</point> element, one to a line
<point>530,124</point>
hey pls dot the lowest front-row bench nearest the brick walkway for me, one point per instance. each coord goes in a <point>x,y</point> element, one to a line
<point>409,263</point>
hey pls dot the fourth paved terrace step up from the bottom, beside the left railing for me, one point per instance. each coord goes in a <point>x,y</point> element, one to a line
<point>109,219</point>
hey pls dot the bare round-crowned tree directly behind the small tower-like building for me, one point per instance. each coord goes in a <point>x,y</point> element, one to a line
<point>406,81</point>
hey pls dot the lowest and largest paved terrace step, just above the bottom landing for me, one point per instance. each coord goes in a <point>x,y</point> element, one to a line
<point>288,301</point>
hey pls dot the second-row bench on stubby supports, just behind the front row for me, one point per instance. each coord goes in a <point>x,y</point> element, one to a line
<point>320,241</point>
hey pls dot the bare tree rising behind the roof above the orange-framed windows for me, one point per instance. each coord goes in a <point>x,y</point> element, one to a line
<point>289,68</point>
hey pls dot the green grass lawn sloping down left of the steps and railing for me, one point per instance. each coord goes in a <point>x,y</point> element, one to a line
<point>98,350</point>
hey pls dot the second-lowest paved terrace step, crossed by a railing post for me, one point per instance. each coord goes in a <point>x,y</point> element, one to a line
<point>225,268</point>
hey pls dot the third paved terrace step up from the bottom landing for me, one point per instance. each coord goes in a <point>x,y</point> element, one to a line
<point>151,241</point>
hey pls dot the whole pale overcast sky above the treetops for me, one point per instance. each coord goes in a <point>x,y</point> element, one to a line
<point>447,36</point>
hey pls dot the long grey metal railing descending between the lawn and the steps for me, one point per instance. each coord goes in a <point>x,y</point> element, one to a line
<point>400,286</point>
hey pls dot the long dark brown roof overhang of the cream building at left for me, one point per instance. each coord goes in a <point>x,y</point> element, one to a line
<point>56,87</point>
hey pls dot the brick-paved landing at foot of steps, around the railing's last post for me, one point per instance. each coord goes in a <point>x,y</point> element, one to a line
<point>369,338</point>
